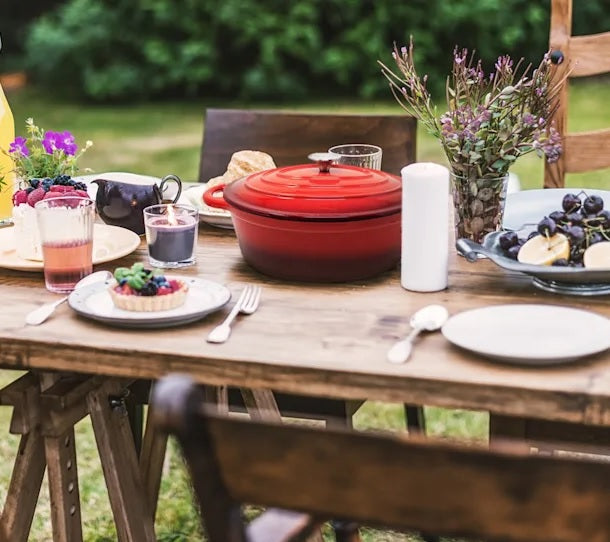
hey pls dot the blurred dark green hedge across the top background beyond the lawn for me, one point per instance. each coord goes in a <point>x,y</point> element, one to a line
<point>275,49</point>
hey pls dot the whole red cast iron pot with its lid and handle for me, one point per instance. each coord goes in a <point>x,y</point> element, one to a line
<point>318,222</point>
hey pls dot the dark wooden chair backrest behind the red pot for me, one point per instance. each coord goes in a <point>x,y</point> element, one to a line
<point>290,137</point>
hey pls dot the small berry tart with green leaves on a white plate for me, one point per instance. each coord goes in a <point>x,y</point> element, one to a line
<point>143,290</point>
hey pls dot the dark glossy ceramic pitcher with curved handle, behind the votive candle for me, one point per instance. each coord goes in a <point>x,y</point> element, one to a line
<point>121,203</point>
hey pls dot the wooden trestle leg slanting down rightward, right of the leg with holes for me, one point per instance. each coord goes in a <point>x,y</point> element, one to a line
<point>131,510</point>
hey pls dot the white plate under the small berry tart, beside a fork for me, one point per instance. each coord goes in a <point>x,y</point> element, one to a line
<point>204,296</point>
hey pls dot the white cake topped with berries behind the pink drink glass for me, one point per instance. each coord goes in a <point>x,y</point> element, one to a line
<point>27,239</point>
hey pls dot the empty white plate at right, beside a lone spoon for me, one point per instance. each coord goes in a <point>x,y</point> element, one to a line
<point>529,334</point>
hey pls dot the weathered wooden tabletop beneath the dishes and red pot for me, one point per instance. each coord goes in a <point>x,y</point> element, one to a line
<point>317,339</point>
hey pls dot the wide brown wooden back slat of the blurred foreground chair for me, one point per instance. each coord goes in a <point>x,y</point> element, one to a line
<point>430,487</point>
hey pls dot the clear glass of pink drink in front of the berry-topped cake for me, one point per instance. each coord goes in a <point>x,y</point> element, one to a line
<point>65,225</point>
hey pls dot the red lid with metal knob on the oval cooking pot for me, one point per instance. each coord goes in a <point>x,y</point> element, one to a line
<point>319,192</point>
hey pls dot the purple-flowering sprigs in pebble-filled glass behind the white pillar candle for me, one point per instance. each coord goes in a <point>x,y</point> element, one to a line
<point>491,120</point>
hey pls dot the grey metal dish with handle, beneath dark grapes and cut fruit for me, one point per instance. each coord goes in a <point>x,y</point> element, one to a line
<point>564,280</point>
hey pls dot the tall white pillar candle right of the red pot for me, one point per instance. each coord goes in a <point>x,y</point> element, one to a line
<point>425,227</point>
